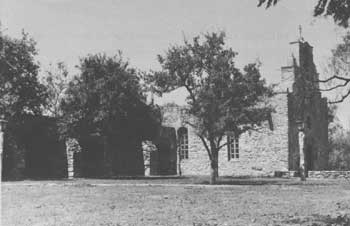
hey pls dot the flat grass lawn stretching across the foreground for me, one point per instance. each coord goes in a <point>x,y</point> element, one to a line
<point>182,201</point>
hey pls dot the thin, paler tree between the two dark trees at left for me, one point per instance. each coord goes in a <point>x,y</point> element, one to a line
<point>56,81</point>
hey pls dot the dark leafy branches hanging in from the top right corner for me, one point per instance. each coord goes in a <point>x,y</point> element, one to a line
<point>338,9</point>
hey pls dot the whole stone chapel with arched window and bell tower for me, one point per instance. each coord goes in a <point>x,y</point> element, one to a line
<point>275,149</point>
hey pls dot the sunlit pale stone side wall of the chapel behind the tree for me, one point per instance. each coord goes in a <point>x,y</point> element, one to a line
<point>261,153</point>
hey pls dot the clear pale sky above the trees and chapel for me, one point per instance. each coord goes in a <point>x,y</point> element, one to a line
<point>68,29</point>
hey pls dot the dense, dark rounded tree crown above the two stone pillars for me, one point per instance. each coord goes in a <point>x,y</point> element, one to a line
<point>106,99</point>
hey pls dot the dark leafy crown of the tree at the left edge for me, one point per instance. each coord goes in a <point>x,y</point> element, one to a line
<point>20,91</point>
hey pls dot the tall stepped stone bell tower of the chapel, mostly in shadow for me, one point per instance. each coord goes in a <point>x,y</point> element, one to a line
<point>306,109</point>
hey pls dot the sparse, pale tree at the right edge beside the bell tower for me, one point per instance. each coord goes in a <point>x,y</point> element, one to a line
<point>338,70</point>
